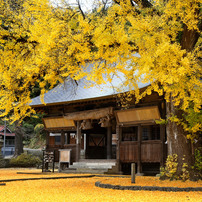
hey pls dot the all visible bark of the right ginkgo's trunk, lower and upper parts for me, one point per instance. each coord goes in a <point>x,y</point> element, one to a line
<point>176,136</point>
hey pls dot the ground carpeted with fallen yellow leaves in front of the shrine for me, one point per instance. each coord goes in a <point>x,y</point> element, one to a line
<point>83,189</point>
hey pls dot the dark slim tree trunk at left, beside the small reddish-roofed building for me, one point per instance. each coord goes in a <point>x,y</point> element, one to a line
<point>18,140</point>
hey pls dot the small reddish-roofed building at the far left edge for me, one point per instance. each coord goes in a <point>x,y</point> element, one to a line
<point>10,141</point>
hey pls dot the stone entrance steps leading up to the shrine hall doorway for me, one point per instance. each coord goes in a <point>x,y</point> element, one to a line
<point>95,166</point>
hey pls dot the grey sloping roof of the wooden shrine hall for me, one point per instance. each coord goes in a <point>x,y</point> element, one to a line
<point>71,91</point>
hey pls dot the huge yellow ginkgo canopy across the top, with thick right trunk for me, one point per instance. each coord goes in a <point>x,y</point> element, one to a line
<point>149,41</point>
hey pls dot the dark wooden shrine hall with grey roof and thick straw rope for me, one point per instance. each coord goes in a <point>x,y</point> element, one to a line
<point>92,123</point>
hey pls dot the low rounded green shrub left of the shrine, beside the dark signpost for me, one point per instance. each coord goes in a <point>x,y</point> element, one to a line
<point>25,160</point>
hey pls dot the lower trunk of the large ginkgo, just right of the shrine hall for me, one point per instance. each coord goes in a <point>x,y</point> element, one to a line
<point>176,138</point>
